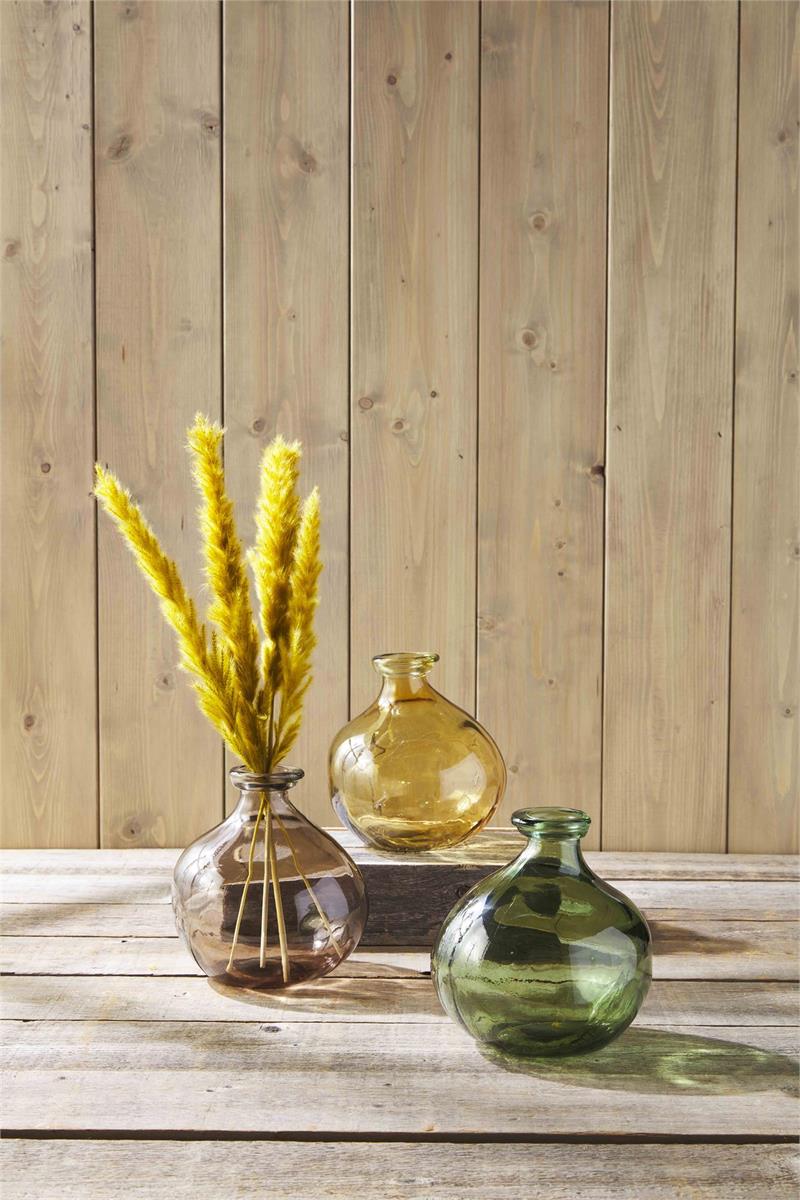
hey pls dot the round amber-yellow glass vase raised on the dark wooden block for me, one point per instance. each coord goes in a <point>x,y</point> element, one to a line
<point>414,772</point>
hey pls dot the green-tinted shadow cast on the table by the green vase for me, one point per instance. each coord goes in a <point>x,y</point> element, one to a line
<point>654,1061</point>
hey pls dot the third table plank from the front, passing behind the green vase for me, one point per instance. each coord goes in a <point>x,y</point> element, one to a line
<point>341,1000</point>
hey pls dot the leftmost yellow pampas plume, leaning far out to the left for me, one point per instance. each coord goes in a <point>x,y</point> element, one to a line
<point>213,681</point>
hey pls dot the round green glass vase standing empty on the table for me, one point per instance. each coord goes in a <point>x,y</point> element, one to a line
<point>544,958</point>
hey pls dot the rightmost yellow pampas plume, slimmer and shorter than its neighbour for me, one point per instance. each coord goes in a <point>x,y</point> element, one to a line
<point>299,646</point>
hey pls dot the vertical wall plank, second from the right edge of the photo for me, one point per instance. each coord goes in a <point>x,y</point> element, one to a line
<point>672,197</point>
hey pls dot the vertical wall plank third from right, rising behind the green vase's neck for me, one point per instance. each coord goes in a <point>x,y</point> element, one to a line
<point>544,160</point>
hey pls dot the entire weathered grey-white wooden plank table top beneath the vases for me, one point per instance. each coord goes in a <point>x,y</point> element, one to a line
<point>128,1075</point>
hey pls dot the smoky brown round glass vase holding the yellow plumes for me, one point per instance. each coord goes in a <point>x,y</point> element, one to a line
<point>267,899</point>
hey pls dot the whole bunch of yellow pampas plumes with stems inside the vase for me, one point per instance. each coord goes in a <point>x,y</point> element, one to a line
<point>252,691</point>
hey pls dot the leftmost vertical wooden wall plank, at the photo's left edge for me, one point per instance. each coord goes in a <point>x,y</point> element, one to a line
<point>47,620</point>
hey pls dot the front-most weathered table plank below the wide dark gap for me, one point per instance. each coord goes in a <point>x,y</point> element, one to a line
<point>55,1169</point>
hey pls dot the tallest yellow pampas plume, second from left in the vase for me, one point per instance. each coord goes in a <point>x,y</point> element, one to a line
<point>226,574</point>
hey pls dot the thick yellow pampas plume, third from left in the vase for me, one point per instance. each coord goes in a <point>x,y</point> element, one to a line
<point>278,517</point>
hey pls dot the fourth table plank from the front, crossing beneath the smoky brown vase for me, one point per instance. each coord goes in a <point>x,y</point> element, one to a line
<point>721,950</point>
